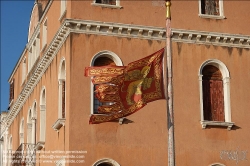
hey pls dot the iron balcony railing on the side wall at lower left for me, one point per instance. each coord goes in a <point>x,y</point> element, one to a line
<point>24,155</point>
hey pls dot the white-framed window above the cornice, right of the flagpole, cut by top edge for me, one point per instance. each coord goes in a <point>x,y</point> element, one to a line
<point>211,9</point>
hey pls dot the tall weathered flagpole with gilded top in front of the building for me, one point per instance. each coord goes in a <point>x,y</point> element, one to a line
<point>171,154</point>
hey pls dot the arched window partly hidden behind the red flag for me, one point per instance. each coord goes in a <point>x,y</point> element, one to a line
<point>102,58</point>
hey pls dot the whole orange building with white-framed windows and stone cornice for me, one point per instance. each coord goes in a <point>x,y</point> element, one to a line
<point>51,100</point>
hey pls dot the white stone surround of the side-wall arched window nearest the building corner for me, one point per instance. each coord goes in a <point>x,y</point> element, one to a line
<point>61,77</point>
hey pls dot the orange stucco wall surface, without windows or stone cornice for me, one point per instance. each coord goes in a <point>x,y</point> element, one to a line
<point>143,140</point>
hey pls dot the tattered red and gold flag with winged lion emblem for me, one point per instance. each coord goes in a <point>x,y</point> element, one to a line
<point>127,89</point>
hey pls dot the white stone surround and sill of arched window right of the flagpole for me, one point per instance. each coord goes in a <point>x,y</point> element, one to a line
<point>226,91</point>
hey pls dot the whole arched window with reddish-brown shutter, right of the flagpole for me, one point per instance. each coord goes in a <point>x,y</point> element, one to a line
<point>215,94</point>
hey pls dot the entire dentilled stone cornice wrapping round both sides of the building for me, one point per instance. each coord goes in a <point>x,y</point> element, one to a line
<point>117,30</point>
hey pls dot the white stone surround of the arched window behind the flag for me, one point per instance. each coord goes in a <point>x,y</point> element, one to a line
<point>108,54</point>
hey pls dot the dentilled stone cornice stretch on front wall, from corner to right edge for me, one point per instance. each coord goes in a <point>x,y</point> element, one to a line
<point>157,33</point>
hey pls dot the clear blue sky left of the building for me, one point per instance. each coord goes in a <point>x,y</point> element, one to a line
<point>15,17</point>
